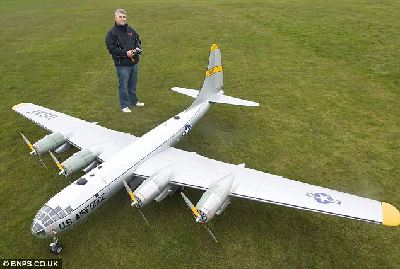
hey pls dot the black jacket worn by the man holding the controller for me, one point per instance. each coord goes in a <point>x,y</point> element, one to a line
<point>119,40</point>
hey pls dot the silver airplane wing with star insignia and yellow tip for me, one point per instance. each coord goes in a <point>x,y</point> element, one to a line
<point>192,170</point>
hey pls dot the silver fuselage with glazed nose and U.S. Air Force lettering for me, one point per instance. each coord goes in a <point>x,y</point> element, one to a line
<point>79,199</point>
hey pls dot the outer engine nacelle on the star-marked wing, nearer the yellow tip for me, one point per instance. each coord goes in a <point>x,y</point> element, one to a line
<point>215,199</point>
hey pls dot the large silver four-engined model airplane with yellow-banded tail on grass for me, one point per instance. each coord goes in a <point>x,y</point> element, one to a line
<point>113,160</point>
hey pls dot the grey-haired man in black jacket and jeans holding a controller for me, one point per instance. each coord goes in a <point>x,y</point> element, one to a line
<point>124,45</point>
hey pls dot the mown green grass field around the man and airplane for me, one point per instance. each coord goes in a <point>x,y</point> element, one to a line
<point>327,75</point>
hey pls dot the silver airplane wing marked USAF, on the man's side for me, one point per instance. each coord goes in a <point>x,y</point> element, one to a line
<point>79,133</point>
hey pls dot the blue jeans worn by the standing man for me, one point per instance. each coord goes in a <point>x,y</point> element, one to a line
<point>127,80</point>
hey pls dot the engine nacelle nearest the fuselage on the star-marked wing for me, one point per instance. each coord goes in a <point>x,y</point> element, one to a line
<point>151,188</point>
